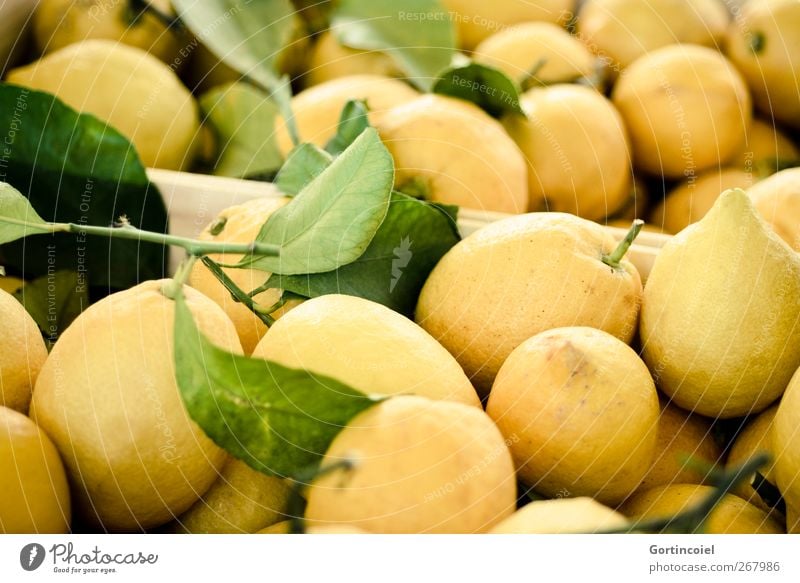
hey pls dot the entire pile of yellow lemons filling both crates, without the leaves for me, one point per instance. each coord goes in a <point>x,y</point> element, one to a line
<point>538,361</point>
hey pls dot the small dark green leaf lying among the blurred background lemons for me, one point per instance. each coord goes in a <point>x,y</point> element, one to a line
<point>484,86</point>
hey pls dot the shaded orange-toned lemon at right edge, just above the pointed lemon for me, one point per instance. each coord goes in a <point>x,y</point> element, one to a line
<point>767,150</point>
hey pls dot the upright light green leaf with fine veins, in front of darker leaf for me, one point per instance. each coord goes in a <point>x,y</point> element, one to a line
<point>332,220</point>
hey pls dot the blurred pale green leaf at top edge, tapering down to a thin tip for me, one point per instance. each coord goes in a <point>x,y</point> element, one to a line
<point>249,37</point>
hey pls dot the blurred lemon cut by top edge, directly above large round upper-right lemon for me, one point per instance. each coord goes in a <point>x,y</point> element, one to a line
<point>621,31</point>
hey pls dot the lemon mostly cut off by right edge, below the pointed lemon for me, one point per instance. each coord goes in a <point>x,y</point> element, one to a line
<point>784,446</point>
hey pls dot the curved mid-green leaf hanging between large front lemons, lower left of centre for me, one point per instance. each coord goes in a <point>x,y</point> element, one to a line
<point>278,420</point>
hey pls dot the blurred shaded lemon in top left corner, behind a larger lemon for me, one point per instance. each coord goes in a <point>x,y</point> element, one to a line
<point>59,23</point>
